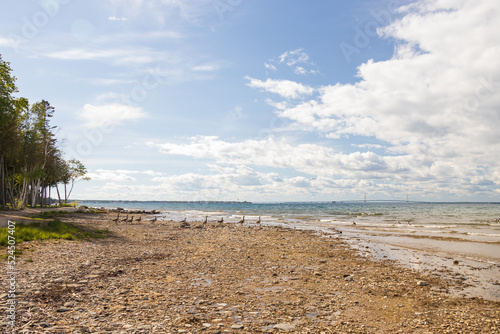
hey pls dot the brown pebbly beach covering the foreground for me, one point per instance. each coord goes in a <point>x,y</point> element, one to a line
<point>173,277</point>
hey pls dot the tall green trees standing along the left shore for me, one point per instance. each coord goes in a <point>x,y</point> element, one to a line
<point>31,162</point>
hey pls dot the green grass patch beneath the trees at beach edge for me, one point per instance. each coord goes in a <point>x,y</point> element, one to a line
<point>54,229</point>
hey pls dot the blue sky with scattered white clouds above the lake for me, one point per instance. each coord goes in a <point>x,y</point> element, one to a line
<point>267,100</point>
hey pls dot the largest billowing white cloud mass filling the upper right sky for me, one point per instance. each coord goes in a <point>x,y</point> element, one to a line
<point>434,105</point>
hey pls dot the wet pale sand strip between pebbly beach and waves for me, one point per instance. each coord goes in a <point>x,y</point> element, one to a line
<point>479,276</point>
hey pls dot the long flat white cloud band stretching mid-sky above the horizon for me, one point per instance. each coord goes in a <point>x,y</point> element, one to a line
<point>307,158</point>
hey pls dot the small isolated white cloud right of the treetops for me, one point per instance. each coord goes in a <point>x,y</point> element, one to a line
<point>107,115</point>
